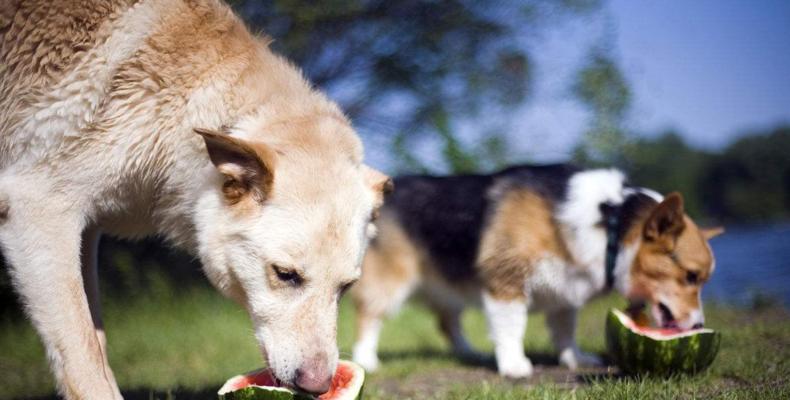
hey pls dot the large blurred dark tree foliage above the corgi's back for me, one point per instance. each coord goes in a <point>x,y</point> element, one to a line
<point>411,69</point>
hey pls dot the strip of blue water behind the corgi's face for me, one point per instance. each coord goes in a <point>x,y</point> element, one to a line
<point>752,263</point>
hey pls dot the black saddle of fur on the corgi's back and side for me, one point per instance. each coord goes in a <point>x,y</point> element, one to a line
<point>448,214</point>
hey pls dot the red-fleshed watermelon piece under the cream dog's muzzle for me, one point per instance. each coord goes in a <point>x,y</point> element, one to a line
<point>260,385</point>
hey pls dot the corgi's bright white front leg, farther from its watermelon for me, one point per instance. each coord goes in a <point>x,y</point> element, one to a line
<point>507,322</point>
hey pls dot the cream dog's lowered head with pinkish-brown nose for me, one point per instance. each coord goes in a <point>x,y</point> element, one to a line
<point>283,229</point>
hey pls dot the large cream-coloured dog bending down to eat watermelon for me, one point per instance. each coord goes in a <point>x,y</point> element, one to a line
<point>100,103</point>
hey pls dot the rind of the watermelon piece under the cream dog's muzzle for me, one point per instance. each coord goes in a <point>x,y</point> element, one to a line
<point>352,391</point>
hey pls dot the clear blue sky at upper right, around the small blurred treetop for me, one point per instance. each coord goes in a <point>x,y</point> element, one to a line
<point>711,70</point>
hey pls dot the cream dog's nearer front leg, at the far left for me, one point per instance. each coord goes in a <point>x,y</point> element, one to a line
<point>41,241</point>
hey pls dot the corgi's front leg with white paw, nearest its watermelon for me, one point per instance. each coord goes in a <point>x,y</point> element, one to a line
<point>562,324</point>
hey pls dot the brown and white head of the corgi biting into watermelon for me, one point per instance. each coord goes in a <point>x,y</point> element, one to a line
<point>672,262</point>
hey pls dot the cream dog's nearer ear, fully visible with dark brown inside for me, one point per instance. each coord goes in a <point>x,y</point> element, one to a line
<point>248,167</point>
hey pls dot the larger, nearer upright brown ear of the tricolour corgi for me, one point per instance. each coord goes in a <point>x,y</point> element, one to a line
<point>666,222</point>
